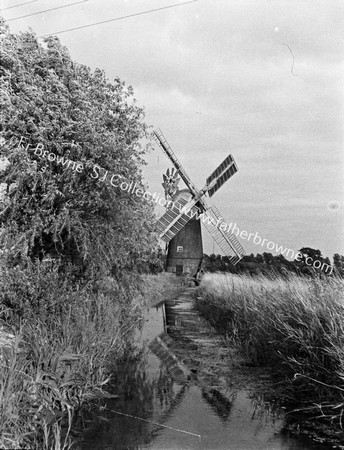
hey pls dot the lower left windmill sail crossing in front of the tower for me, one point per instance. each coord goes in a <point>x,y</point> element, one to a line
<point>174,219</point>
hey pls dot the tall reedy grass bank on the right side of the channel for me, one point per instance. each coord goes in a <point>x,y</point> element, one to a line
<point>296,326</point>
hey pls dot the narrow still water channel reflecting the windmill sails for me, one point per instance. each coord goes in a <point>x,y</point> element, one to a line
<point>164,407</point>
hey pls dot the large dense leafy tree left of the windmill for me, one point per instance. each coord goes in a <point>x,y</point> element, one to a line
<point>63,107</point>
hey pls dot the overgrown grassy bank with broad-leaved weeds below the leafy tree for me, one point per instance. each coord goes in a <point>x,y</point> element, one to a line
<point>67,341</point>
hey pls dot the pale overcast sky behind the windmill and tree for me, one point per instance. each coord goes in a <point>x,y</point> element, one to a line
<point>260,79</point>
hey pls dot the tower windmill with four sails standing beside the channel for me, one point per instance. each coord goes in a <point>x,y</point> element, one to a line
<point>180,226</point>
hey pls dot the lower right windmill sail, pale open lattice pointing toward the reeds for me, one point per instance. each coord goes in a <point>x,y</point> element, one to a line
<point>227,242</point>
